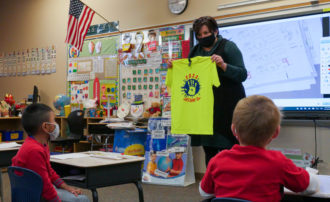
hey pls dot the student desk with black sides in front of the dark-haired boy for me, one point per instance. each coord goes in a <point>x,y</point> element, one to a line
<point>100,172</point>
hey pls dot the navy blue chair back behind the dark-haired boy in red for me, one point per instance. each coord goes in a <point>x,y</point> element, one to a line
<point>26,185</point>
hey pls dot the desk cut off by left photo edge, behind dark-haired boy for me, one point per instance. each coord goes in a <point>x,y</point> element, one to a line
<point>6,154</point>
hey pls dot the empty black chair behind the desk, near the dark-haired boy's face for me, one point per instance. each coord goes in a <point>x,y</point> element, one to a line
<point>76,124</point>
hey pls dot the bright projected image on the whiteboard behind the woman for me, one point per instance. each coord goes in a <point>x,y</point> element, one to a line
<point>282,56</point>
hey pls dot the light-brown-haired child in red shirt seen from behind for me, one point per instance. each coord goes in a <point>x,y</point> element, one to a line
<point>249,171</point>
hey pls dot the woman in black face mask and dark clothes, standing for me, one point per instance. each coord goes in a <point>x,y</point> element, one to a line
<point>231,72</point>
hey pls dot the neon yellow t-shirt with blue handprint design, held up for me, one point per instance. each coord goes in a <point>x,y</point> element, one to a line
<point>192,95</point>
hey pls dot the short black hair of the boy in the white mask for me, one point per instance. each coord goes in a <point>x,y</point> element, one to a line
<point>33,116</point>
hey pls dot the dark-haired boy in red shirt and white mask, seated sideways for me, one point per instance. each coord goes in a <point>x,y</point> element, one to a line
<point>38,121</point>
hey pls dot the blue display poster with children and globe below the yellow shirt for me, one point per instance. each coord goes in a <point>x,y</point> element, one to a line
<point>168,157</point>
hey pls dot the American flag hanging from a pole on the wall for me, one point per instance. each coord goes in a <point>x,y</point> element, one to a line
<point>80,18</point>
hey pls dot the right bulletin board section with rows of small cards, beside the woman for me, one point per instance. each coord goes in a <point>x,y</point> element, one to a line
<point>143,56</point>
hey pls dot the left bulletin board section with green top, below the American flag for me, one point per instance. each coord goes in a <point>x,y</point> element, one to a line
<point>98,59</point>
